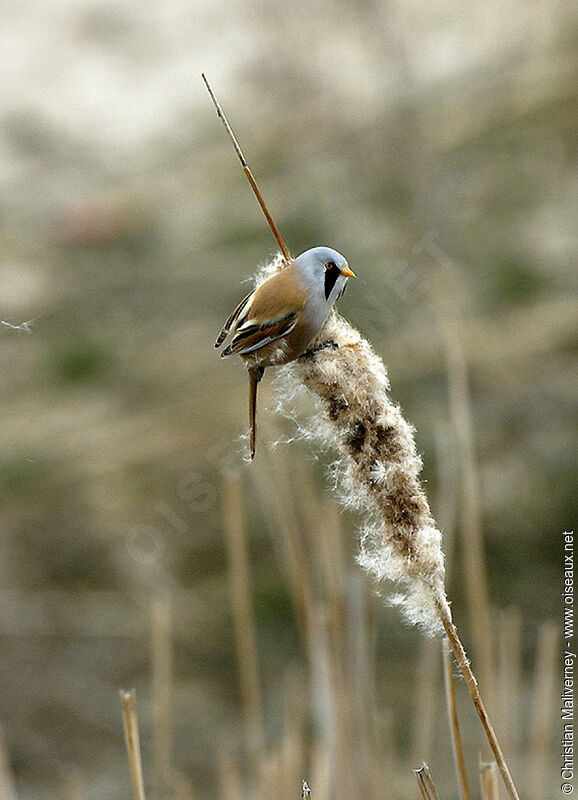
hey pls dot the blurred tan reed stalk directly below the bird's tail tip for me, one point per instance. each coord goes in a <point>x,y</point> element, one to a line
<point>243,618</point>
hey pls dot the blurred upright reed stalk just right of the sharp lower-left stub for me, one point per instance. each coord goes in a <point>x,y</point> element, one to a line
<point>162,681</point>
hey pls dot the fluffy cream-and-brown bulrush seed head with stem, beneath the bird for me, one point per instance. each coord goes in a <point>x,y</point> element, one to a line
<point>377,472</point>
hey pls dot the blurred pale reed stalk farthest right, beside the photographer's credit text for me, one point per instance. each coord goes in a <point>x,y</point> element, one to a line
<point>546,679</point>
